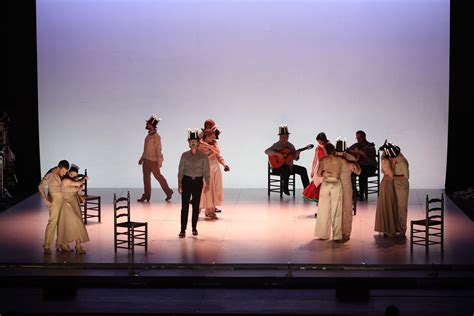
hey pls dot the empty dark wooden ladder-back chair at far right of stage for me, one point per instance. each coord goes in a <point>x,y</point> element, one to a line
<point>429,230</point>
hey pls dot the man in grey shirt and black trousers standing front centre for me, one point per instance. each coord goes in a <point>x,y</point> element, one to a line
<point>193,175</point>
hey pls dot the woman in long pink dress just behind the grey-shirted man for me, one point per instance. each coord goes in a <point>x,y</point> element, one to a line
<point>215,195</point>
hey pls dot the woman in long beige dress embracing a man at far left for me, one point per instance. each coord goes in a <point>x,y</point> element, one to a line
<point>71,227</point>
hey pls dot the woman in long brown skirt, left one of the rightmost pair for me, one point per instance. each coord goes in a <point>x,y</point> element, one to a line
<point>386,215</point>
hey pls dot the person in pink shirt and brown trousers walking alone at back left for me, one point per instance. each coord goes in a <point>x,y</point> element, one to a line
<point>152,160</point>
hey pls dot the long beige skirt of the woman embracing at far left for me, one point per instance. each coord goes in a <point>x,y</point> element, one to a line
<point>70,225</point>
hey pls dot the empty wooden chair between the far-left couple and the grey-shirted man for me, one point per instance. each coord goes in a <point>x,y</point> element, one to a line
<point>128,234</point>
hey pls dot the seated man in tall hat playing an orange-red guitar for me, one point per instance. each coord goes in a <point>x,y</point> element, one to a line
<point>288,168</point>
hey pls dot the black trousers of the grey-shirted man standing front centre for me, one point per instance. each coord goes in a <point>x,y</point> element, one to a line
<point>192,188</point>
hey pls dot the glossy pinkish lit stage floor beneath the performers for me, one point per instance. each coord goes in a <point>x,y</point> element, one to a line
<point>252,229</point>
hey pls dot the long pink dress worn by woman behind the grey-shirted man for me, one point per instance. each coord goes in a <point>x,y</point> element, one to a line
<point>215,195</point>
